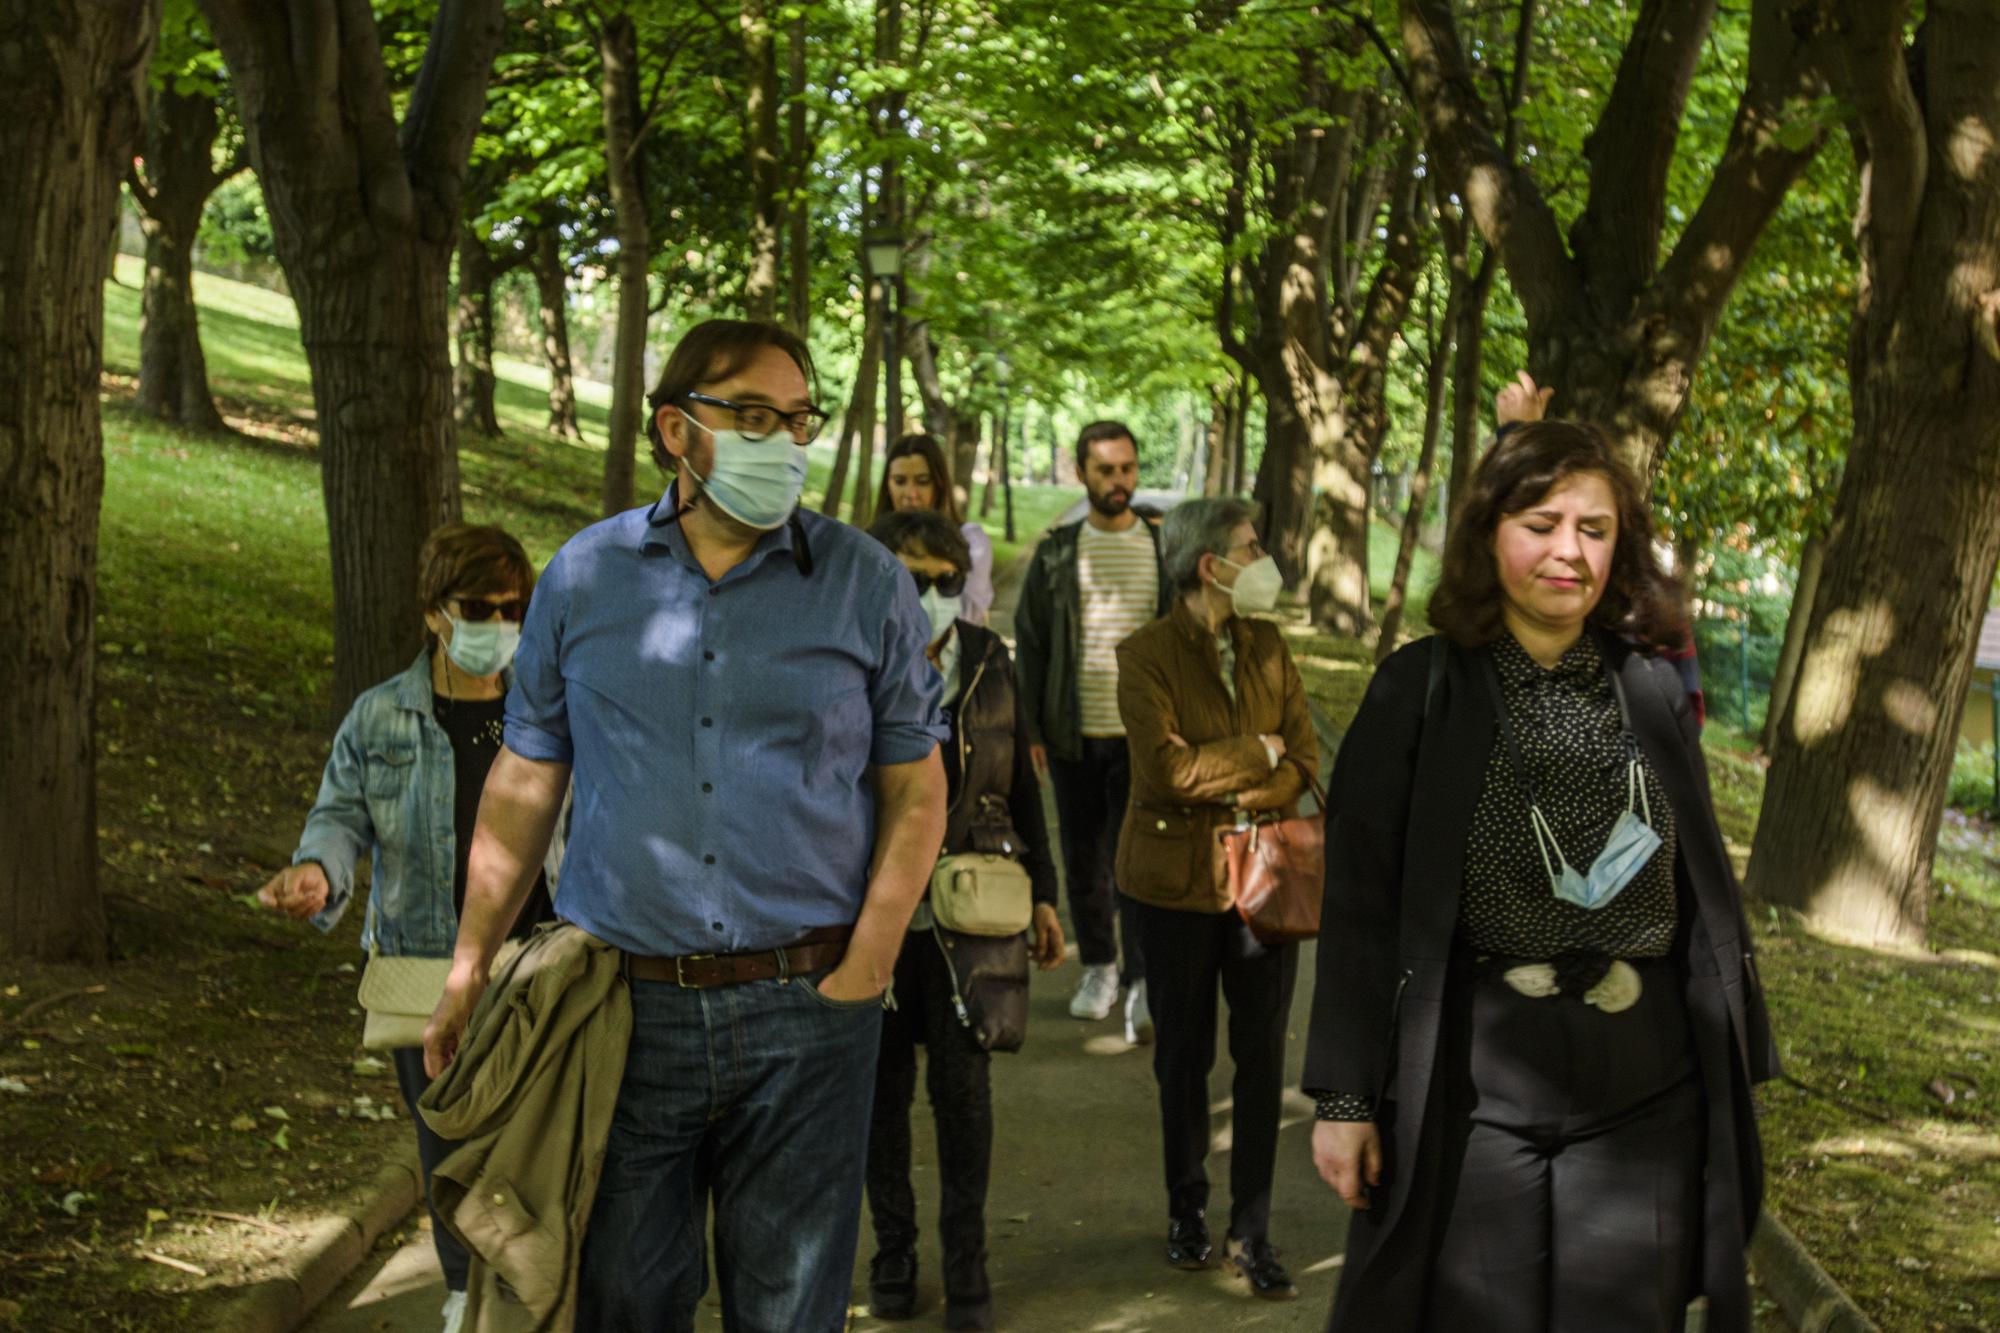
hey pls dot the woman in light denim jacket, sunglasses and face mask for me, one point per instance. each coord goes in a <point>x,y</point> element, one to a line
<point>405,786</point>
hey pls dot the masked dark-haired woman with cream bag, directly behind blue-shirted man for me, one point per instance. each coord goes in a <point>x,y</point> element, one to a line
<point>957,996</point>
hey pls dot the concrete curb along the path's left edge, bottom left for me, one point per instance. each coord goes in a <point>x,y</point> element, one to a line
<point>333,1248</point>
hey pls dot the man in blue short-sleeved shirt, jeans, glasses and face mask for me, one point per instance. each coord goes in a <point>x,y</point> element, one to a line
<point>741,696</point>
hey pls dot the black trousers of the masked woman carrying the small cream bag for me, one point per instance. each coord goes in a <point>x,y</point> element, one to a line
<point>961,1098</point>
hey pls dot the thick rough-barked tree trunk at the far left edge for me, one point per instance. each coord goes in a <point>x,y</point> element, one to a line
<point>73,83</point>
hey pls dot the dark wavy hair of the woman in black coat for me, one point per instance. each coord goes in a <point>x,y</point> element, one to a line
<point>1641,601</point>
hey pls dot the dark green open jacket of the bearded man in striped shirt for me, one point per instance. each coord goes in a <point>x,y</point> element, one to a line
<point>1049,639</point>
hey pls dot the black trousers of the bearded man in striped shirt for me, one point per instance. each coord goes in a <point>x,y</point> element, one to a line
<point>1091,800</point>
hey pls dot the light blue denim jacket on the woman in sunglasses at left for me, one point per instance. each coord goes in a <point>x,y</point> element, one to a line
<point>389,792</point>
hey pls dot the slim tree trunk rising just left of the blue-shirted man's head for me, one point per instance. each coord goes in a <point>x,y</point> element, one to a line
<point>619,91</point>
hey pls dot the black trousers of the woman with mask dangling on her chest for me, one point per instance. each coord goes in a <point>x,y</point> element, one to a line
<point>1575,1204</point>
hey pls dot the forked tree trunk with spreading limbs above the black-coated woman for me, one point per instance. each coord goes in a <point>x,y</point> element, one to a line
<point>1615,329</point>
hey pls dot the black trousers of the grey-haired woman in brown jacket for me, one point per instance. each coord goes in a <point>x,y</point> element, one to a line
<point>1189,956</point>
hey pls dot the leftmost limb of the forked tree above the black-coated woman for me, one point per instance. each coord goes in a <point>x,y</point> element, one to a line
<point>1509,211</point>
